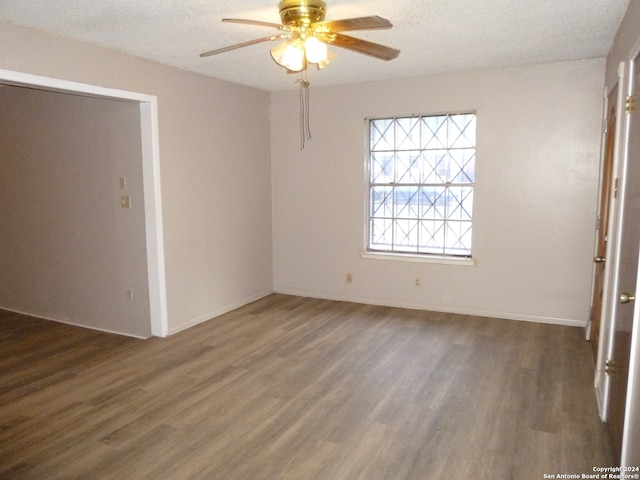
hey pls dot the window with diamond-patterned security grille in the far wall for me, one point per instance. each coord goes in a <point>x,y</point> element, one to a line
<point>421,183</point>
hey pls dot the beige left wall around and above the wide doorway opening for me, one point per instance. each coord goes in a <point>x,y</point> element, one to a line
<point>214,165</point>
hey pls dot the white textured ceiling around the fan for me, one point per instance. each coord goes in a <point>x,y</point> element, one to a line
<point>434,36</point>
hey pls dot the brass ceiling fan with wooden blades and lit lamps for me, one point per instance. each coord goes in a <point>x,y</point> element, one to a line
<point>306,35</point>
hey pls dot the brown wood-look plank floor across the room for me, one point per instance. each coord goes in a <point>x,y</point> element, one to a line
<point>297,388</point>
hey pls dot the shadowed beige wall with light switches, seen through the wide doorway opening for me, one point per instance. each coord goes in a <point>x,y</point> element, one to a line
<point>69,251</point>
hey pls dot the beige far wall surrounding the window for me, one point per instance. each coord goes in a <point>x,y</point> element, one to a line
<point>534,215</point>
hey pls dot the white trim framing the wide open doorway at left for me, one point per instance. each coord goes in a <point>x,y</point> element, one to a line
<point>150,172</point>
